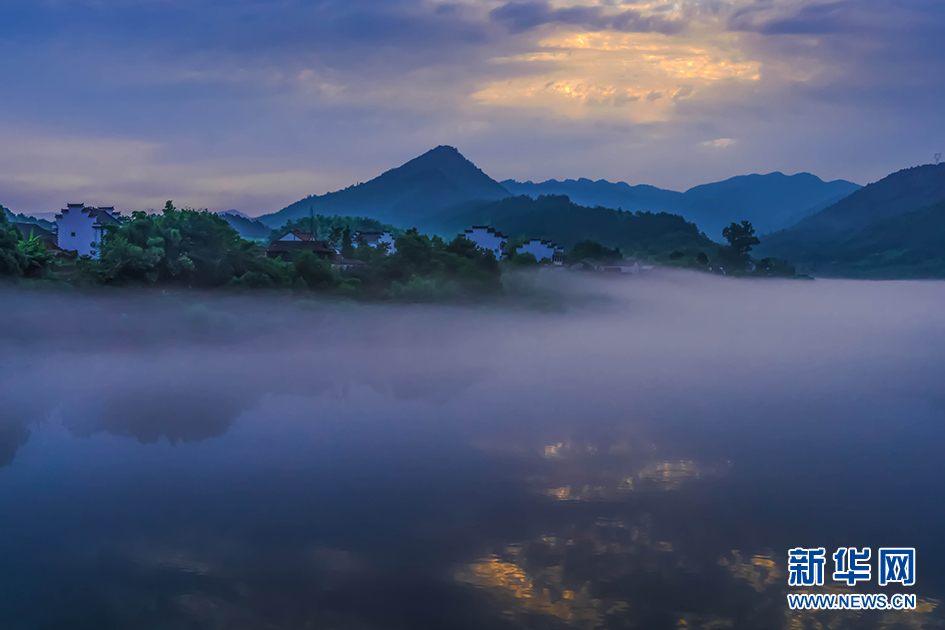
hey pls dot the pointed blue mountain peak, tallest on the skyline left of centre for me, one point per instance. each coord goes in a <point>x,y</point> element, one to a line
<point>414,194</point>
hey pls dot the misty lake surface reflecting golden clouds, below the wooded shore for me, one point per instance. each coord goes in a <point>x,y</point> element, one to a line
<point>607,452</point>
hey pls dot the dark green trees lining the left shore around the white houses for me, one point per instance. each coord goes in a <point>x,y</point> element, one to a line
<point>191,248</point>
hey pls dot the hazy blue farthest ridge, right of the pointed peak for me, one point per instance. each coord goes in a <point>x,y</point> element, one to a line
<point>771,202</point>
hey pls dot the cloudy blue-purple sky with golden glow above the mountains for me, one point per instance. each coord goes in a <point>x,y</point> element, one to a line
<point>254,104</point>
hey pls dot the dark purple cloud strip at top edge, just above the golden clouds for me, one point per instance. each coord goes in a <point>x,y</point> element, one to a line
<point>524,16</point>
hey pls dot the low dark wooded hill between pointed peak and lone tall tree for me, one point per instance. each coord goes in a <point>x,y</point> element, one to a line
<point>558,219</point>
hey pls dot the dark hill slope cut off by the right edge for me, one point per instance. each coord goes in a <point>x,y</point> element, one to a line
<point>892,228</point>
